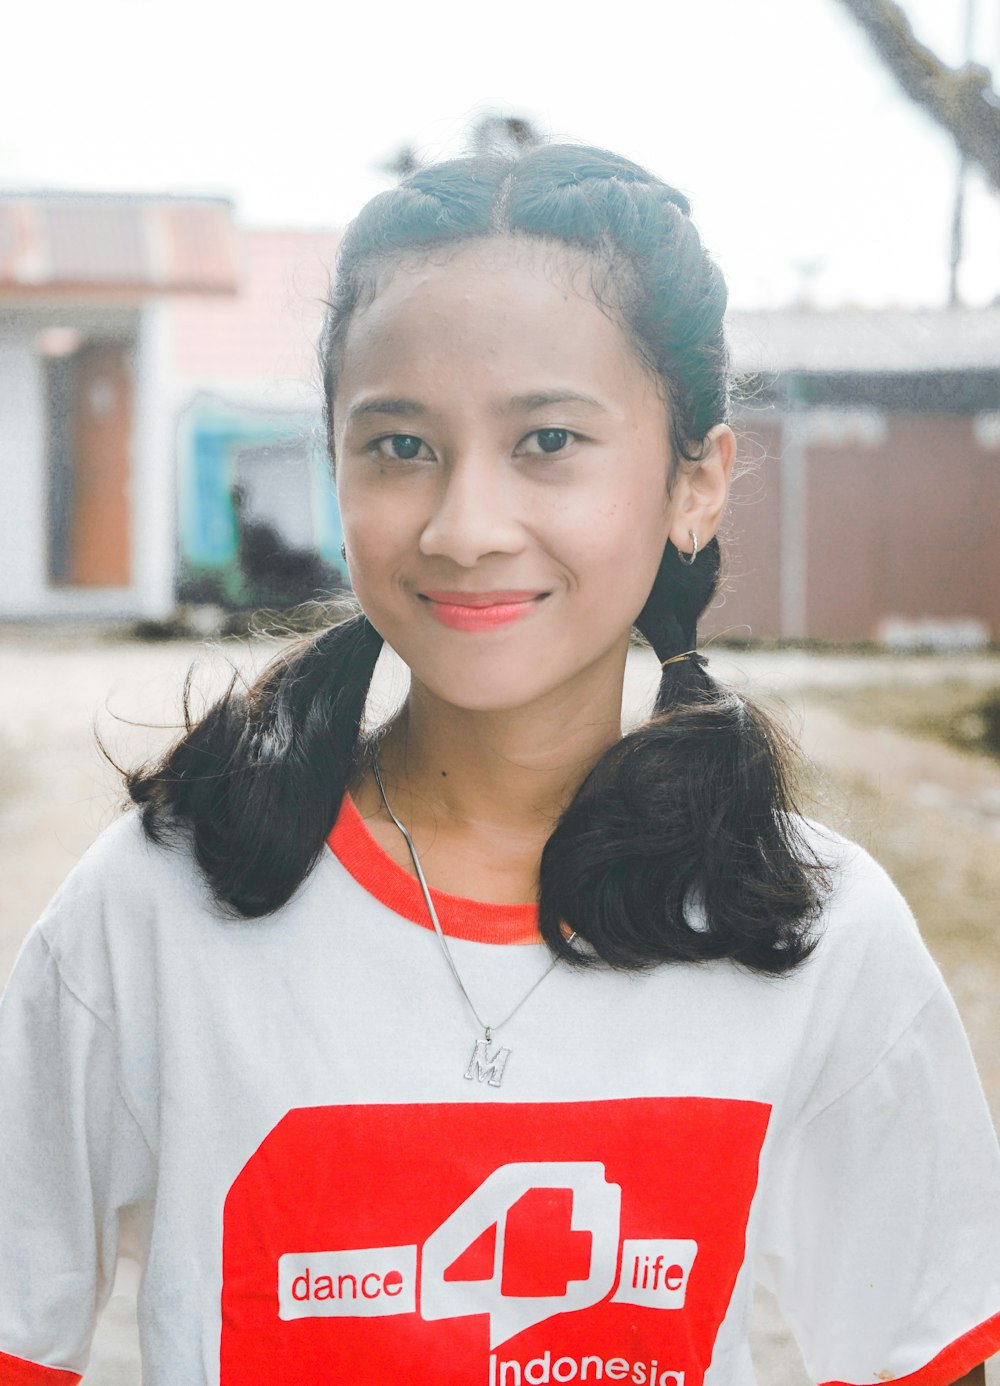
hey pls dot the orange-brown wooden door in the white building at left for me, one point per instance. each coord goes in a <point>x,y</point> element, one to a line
<point>100,547</point>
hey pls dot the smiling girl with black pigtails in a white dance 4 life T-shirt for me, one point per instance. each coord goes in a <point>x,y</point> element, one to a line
<point>492,1047</point>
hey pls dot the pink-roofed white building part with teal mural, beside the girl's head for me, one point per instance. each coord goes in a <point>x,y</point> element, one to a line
<point>257,516</point>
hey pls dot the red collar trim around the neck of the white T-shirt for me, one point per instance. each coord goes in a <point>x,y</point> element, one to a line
<point>358,852</point>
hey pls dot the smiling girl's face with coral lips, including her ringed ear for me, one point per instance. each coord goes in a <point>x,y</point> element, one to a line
<point>502,471</point>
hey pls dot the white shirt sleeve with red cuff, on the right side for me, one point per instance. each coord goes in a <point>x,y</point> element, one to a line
<point>882,1234</point>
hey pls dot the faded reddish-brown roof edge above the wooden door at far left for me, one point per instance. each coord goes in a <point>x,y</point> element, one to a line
<point>98,245</point>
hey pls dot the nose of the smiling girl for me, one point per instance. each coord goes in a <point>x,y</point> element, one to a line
<point>476,515</point>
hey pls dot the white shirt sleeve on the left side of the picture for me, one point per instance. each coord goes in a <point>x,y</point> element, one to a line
<point>74,1168</point>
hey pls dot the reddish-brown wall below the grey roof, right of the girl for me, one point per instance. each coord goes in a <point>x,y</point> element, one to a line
<point>905,529</point>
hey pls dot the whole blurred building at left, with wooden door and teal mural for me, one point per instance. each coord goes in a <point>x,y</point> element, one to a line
<point>159,410</point>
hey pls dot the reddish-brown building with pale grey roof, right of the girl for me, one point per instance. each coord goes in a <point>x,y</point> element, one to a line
<point>872,514</point>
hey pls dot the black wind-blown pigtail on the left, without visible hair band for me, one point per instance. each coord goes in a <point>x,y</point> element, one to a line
<point>258,782</point>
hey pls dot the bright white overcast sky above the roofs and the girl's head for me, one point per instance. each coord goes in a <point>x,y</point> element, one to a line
<point>805,164</point>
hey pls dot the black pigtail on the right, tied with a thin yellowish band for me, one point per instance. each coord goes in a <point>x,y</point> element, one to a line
<point>681,845</point>
